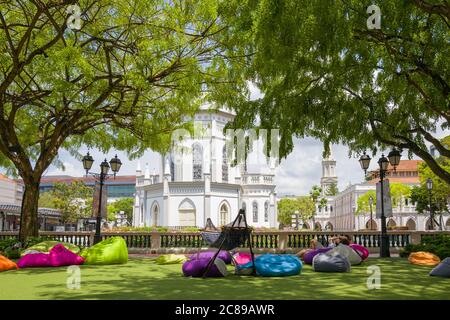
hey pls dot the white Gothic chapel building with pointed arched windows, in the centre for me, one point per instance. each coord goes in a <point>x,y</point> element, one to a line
<point>196,182</point>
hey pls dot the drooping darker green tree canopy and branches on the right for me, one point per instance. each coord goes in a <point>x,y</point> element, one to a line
<point>325,74</point>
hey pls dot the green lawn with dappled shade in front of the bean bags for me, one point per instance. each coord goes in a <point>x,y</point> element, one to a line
<point>141,278</point>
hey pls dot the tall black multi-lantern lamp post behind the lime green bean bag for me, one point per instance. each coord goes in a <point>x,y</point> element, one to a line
<point>115,165</point>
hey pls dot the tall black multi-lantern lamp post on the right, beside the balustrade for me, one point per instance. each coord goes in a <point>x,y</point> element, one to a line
<point>394,159</point>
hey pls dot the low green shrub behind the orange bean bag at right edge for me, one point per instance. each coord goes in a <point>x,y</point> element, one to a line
<point>437,244</point>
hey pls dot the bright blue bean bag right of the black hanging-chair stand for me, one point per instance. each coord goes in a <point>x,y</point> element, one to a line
<point>273,265</point>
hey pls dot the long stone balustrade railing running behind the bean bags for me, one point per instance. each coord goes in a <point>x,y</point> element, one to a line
<point>278,240</point>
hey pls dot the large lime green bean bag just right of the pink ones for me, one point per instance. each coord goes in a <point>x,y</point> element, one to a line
<point>109,251</point>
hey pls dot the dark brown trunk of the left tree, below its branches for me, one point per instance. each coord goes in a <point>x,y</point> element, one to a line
<point>29,222</point>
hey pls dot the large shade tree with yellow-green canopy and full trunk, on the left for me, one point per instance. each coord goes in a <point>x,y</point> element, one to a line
<point>124,77</point>
